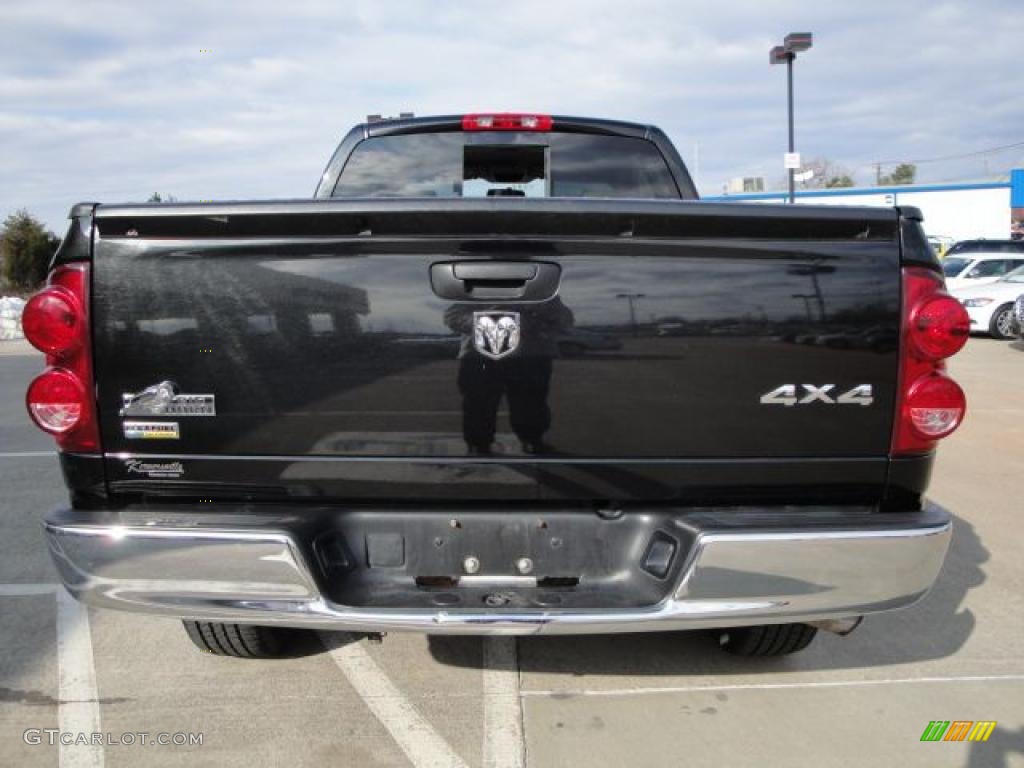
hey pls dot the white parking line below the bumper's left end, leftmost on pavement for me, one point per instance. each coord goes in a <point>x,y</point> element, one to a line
<point>79,710</point>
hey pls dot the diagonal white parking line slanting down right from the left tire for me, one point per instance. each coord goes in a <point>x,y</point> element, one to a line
<point>422,745</point>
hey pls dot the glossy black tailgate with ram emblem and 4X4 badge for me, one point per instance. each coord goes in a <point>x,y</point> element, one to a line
<point>676,350</point>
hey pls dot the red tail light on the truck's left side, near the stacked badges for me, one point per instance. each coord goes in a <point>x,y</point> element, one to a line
<point>57,322</point>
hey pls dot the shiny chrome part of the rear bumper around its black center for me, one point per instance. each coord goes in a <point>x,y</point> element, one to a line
<point>252,571</point>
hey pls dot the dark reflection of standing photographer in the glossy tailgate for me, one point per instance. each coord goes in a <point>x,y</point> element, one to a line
<point>524,377</point>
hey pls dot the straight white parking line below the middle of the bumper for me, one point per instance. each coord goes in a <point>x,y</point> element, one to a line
<point>503,743</point>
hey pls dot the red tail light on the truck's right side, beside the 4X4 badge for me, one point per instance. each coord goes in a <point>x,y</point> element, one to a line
<point>930,405</point>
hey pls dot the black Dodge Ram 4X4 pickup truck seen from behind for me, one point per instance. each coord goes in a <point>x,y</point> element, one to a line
<point>504,375</point>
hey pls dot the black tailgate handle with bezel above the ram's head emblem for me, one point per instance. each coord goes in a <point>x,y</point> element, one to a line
<point>490,281</point>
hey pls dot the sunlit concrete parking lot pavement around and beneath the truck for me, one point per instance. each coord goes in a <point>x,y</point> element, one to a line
<point>642,701</point>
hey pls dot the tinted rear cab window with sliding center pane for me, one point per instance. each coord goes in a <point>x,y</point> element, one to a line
<point>507,164</point>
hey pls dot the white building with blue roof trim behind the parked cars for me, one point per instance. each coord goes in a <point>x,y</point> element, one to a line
<point>990,209</point>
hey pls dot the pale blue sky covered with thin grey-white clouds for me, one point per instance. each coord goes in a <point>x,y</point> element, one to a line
<point>112,102</point>
